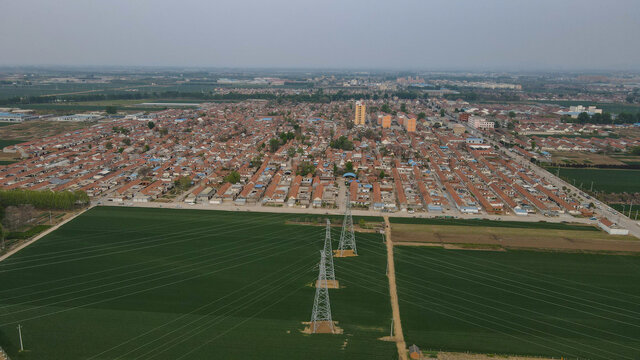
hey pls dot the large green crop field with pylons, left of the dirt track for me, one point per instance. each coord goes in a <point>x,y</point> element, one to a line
<point>186,284</point>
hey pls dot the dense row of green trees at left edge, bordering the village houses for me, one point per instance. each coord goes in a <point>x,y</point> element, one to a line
<point>49,200</point>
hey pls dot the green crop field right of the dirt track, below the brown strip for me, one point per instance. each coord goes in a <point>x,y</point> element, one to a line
<point>520,302</point>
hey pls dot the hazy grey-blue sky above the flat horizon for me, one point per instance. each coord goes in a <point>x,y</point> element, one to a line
<point>412,34</point>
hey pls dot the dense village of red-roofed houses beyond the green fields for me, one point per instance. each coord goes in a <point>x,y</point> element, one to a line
<point>224,152</point>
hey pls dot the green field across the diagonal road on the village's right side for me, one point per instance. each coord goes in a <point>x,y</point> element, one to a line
<point>607,180</point>
